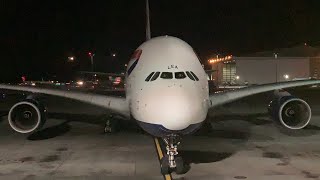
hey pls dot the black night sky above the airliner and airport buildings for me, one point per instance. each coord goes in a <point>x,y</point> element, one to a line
<point>39,35</point>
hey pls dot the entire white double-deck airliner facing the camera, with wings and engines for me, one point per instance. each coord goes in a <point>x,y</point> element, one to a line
<point>166,94</point>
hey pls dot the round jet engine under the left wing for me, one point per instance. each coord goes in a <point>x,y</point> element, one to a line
<point>27,116</point>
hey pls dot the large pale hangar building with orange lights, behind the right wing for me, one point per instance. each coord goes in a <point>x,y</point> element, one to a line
<point>296,63</point>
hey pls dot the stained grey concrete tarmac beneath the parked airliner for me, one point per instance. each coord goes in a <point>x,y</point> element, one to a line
<point>239,141</point>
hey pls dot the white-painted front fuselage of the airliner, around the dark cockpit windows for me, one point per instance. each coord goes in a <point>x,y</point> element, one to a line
<point>172,103</point>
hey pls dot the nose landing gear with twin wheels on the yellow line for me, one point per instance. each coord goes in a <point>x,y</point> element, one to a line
<point>171,162</point>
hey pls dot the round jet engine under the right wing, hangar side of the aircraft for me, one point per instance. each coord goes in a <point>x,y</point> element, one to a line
<point>290,112</point>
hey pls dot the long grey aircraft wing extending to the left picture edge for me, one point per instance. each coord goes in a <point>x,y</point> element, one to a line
<point>118,105</point>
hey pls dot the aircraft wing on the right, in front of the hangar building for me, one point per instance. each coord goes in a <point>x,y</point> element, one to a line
<point>232,95</point>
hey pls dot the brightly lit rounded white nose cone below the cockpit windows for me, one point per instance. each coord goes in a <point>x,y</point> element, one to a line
<point>174,109</point>
